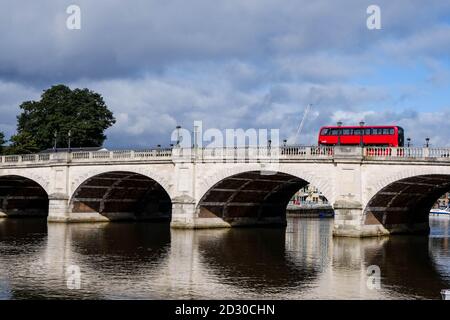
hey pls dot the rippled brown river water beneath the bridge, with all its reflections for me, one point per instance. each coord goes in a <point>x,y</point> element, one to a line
<point>151,261</point>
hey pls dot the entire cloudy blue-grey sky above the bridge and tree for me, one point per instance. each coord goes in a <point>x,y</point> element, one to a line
<point>234,64</point>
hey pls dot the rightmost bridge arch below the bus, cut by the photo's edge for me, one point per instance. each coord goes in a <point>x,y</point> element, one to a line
<point>402,201</point>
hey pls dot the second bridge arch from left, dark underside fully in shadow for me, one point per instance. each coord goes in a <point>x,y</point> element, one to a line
<point>120,195</point>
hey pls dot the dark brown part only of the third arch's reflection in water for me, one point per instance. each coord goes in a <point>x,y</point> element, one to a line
<point>257,261</point>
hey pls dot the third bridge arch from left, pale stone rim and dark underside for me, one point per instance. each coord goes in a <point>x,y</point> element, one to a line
<point>243,194</point>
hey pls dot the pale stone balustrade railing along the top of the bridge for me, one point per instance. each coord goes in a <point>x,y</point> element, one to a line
<point>225,153</point>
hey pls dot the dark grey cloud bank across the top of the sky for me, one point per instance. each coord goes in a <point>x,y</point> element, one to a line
<point>120,39</point>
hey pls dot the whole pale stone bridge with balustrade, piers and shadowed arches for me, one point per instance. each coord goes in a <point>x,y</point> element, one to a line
<point>374,191</point>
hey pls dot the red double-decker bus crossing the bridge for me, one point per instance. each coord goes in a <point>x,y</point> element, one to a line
<point>383,136</point>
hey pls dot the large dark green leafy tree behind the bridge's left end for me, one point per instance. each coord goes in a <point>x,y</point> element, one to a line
<point>60,110</point>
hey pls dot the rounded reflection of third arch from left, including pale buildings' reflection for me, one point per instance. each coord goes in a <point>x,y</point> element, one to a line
<point>264,263</point>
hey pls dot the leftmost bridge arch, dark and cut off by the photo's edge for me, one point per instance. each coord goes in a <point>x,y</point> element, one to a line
<point>22,196</point>
